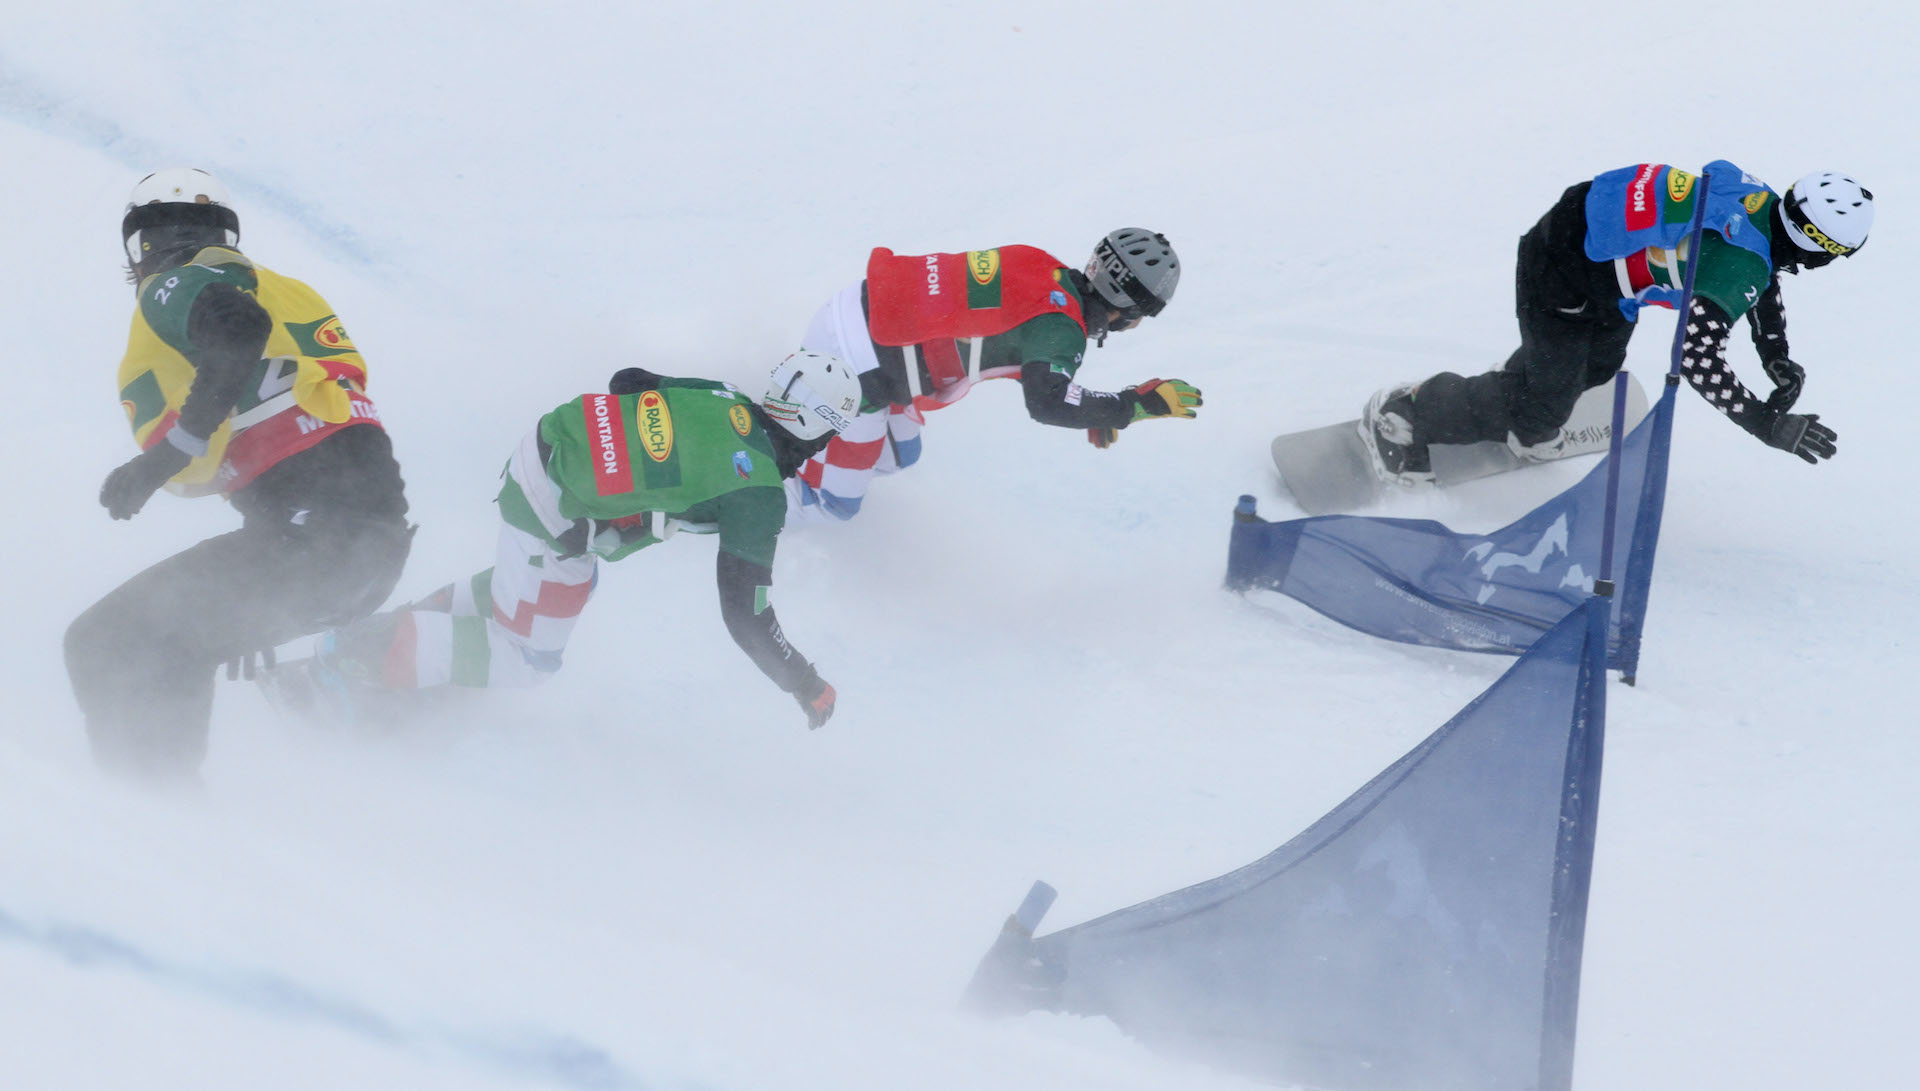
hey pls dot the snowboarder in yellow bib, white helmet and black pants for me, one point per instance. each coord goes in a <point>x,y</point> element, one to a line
<point>237,383</point>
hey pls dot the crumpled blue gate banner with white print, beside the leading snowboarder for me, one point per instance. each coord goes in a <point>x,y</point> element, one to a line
<point>1420,583</point>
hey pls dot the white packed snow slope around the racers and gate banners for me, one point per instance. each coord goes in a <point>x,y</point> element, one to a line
<point>650,875</point>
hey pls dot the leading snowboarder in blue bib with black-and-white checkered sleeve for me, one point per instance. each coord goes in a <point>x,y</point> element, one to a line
<point>1596,258</point>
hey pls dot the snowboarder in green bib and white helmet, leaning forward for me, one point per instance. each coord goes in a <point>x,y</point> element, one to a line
<point>598,479</point>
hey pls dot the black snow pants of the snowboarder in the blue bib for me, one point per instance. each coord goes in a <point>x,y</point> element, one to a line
<point>1573,337</point>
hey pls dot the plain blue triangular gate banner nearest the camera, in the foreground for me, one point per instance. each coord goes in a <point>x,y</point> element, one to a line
<point>1424,936</point>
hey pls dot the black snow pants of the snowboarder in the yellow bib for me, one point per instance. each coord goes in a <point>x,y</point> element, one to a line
<point>145,658</point>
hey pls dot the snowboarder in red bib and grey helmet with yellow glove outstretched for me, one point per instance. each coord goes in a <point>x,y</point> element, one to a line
<point>923,329</point>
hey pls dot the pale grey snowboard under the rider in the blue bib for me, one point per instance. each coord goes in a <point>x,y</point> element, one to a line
<point>1328,470</point>
